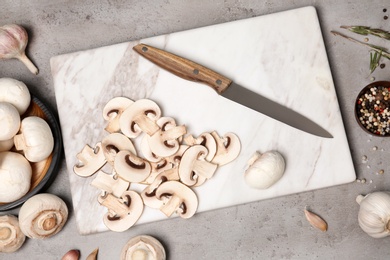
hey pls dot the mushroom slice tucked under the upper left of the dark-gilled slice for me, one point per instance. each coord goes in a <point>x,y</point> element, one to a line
<point>115,142</point>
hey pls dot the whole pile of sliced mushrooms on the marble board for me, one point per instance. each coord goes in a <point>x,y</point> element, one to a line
<point>172,162</point>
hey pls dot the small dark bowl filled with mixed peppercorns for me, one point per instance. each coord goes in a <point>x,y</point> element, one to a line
<point>372,108</point>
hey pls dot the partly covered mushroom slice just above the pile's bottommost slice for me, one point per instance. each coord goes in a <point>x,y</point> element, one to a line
<point>110,183</point>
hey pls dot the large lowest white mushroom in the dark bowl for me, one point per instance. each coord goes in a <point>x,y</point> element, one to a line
<point>15,176</point>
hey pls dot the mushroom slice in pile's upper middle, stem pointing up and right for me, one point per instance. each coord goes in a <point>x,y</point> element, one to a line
<point>165,141</point>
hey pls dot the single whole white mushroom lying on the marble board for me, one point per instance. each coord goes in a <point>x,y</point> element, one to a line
<point>264,170</point>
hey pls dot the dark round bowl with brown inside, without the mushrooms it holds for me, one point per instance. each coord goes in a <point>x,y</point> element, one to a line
<point>43,172</point>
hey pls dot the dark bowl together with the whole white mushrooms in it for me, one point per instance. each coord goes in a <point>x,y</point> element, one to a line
<point>30,144</point>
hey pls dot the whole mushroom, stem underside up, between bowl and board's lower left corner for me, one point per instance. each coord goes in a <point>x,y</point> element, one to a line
<point>42,216</point>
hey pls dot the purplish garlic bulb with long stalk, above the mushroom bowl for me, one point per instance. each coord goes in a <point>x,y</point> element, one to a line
<point>13,42</point>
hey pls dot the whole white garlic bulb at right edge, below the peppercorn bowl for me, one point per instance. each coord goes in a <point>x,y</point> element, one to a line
<point>374,213</point>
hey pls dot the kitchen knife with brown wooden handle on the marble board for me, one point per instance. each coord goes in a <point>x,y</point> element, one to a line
<point>192,71</point>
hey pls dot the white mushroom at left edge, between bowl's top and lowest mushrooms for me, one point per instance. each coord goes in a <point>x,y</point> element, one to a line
<point>9,121</point>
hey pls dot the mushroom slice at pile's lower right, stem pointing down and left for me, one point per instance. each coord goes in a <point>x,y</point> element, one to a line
<point>178,198</point>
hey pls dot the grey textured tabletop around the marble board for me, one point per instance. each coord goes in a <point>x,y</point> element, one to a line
<point>271,229</point>
